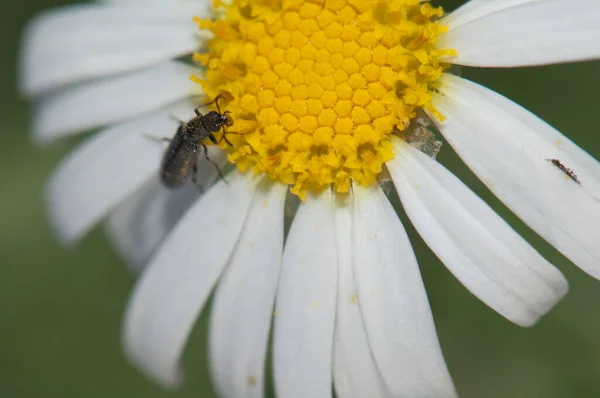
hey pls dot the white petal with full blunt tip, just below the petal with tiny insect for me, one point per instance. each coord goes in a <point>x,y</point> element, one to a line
<point>476,245</point>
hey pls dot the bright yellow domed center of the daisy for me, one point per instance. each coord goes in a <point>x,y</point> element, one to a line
<point>316,88</point>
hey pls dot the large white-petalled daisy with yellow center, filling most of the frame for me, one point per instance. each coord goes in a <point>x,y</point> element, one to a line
<point>319,93</point>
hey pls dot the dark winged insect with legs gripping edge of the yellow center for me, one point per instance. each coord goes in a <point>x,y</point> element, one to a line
<point>181,157</point>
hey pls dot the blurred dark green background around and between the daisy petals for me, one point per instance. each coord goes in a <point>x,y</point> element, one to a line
<point>60,310</point>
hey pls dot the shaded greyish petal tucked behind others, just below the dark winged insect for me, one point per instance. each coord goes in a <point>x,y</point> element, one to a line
<point>140,223</point>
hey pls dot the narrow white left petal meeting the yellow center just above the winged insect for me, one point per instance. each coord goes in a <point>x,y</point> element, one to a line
<point>93,104</point>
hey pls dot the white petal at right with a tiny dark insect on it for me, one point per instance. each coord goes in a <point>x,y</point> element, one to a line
<point>509,150</point>
